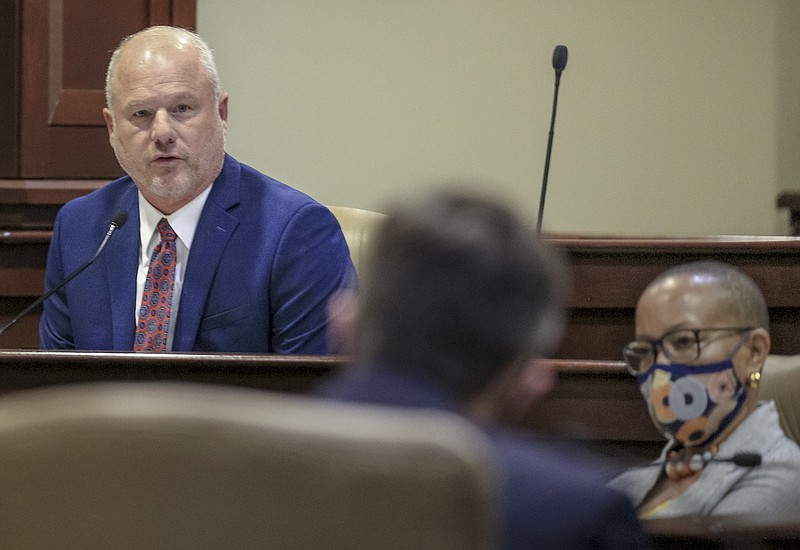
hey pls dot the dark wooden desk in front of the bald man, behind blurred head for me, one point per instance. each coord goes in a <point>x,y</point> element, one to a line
<point>589,399</point>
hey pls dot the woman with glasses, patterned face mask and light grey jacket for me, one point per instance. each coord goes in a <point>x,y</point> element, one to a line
<point>702,336</point>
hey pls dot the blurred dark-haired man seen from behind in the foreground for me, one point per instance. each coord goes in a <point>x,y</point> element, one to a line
<point>459,299</point>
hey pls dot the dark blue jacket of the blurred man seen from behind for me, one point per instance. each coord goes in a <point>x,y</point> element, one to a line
<point>551,499</point>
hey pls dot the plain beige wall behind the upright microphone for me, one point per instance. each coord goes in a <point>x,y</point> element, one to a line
<point>676,116</point>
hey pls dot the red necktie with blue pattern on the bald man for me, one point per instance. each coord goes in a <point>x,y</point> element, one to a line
<point>154,313</point>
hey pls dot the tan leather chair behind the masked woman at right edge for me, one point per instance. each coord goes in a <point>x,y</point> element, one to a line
<point>780,381</point>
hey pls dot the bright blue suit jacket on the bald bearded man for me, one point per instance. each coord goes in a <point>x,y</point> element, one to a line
<point>264,261</point>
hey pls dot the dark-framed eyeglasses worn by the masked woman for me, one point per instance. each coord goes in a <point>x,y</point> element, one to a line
<point>679,346</point>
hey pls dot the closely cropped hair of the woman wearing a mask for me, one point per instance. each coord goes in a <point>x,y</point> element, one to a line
<point>739,293</point>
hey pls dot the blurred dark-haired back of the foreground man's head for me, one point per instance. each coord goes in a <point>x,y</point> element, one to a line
<point>458,289</point>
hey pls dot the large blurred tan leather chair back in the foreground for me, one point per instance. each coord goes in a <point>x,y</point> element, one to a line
<point>172,465</point>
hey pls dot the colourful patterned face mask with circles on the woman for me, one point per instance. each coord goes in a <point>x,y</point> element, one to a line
<point>692,403</point>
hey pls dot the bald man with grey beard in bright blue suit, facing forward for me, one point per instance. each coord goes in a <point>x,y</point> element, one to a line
<point>256,260</point>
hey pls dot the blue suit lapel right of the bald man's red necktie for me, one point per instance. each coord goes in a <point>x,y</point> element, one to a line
<point>214,230</point>
